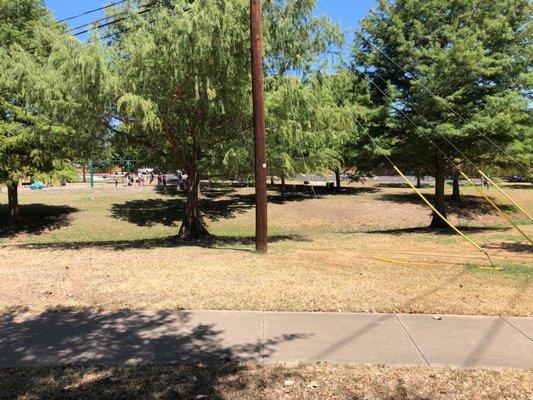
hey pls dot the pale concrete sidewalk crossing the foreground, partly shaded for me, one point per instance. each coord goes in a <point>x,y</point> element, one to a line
<point>57,338</point>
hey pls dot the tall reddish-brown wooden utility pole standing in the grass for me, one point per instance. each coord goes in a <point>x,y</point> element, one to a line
<point>261,229</point>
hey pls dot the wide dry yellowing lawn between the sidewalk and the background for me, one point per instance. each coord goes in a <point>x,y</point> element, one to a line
<point>111,249</point>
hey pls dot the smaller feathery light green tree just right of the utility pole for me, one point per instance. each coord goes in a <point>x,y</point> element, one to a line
<point>307,125</point>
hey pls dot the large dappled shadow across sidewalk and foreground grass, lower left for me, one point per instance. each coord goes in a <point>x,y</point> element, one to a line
<point>133,343</point>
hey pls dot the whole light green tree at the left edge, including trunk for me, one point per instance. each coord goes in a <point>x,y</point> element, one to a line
<point>51,95</point>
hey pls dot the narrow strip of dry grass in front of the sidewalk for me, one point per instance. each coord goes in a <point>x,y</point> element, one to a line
<point>231,381</point>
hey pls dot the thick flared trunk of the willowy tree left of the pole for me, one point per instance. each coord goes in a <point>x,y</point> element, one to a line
<point>192,226</point>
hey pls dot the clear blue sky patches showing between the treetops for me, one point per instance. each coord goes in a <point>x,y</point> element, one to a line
<point>346,12</point>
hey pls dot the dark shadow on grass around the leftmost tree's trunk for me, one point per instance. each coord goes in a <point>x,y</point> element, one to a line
<point>35,219</point>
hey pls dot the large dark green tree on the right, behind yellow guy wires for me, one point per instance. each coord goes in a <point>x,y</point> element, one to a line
<point>473,56</point>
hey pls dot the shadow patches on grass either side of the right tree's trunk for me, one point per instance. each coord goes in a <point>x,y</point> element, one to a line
<point>467,207</point>
